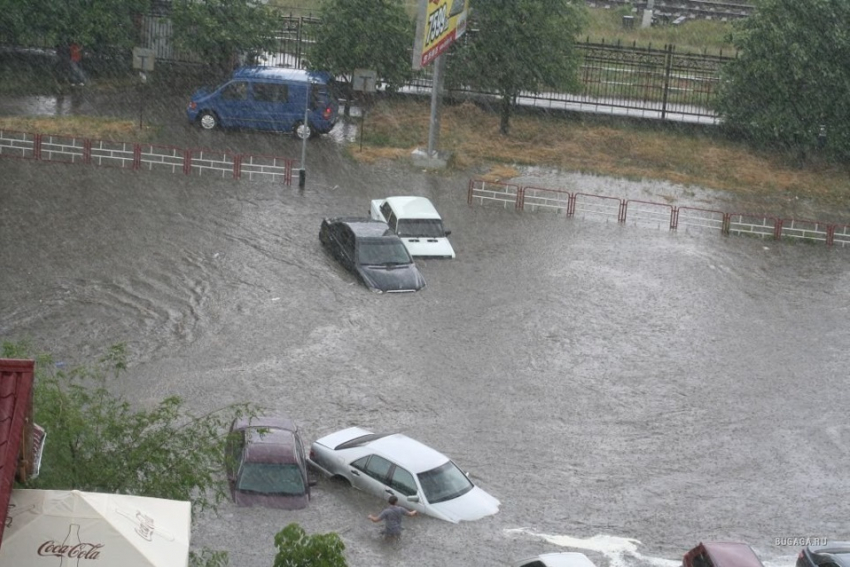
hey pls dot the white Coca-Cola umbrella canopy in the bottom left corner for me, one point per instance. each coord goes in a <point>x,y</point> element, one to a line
<point>59,528</point>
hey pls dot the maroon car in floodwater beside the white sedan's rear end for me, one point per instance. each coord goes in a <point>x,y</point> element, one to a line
<point>265,463</point>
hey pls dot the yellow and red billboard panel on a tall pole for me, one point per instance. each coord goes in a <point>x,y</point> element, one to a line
<point>440,22</point>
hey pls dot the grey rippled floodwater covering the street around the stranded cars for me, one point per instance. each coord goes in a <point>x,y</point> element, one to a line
<point>624,391</point>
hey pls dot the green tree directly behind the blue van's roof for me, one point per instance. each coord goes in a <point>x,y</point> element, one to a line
<point>220,30</point>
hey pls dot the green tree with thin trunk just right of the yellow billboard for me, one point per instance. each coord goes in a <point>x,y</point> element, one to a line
<point>519,45</point>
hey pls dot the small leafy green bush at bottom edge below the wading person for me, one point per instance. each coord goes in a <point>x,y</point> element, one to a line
<point>297,549</point>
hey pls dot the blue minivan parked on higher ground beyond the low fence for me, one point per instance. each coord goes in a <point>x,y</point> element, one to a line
<point>268,98</point>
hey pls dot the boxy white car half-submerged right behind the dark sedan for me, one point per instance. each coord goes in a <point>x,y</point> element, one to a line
<point>417,223</point>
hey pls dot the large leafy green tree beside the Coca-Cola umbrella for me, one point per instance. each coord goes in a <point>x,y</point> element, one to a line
<point>98,442</point>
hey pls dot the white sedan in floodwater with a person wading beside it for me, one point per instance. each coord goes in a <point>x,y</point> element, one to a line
<point>395,465</point>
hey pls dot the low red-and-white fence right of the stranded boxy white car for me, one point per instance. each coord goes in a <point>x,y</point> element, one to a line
<point>648,213</point>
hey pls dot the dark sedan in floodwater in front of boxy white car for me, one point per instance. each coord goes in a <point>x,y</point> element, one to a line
<point>370,250</point>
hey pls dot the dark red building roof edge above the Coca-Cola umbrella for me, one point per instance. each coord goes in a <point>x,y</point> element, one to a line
<point>16,378</point>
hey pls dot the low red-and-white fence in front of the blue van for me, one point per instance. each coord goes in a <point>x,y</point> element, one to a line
<point>138,156</point>
